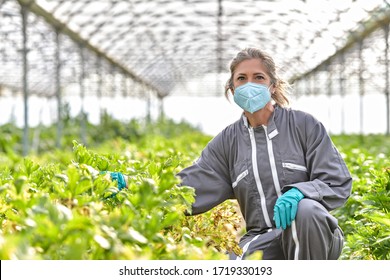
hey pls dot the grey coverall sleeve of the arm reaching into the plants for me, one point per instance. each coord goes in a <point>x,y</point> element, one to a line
<point>209,176</point>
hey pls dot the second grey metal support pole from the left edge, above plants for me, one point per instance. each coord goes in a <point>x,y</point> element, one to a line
<point>58,91</point>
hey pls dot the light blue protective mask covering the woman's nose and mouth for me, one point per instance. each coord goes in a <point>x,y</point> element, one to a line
<point>252,97</point>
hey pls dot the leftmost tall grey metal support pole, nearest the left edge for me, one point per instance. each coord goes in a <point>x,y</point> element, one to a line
<point>24,13</point>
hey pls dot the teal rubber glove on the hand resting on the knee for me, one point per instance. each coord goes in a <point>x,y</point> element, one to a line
<point>286,207</point>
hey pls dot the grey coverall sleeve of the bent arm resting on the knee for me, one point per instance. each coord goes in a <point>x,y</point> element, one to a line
<point>330,181</point>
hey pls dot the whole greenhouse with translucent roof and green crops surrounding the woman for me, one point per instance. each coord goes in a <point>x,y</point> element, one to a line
<point>137,88</point>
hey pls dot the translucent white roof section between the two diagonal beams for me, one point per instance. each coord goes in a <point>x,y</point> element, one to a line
<point>171,42</point>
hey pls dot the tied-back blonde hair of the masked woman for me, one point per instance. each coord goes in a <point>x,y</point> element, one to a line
<point>282,87</point>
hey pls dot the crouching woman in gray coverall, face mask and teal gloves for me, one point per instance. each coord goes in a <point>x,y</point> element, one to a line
<point>280,165</point>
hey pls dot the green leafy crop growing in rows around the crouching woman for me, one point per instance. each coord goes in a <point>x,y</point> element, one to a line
<point>57,204</point>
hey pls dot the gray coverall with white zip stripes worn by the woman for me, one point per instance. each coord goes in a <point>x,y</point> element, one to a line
<point>257,165</point>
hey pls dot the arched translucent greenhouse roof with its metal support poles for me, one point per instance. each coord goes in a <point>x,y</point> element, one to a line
<point>156,48</point>
